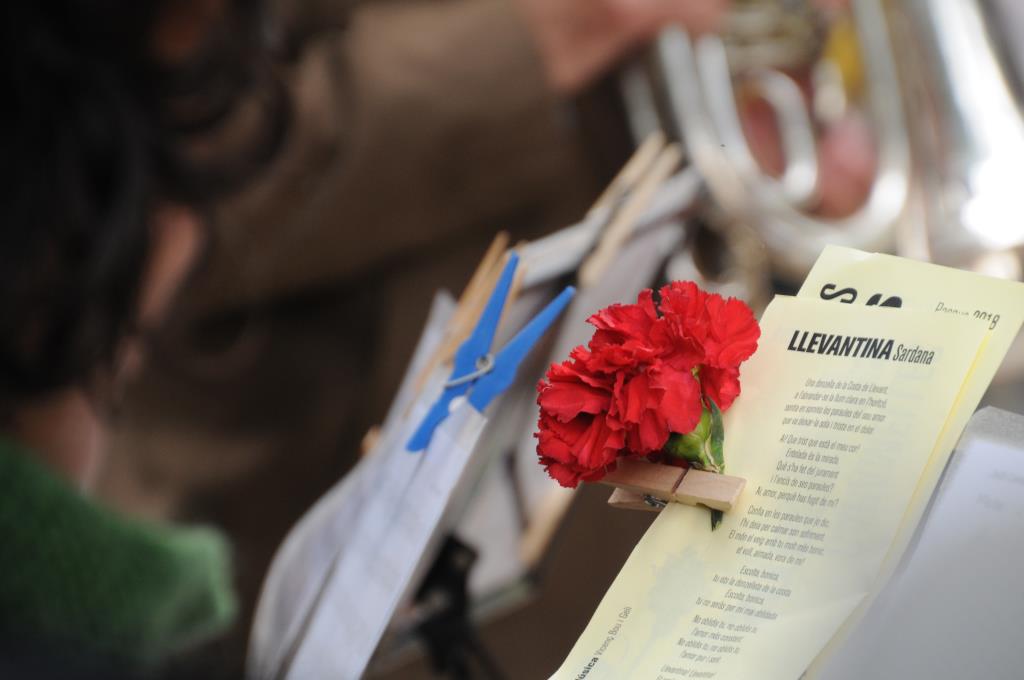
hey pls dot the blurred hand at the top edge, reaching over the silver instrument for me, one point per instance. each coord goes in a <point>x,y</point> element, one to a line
<point>579,39</point>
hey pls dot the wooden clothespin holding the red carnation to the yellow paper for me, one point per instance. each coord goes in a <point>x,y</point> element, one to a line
<point>644,486</point>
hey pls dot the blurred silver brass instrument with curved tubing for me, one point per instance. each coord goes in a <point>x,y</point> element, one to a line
<point>935,86</point>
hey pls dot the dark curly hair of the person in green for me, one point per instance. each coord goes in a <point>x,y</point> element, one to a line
<point>96,133</point>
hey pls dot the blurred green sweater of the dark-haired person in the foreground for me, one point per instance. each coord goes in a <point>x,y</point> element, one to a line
<point>81,577</point>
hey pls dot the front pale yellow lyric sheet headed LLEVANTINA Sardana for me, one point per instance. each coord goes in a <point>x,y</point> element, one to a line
<point>841,411</point>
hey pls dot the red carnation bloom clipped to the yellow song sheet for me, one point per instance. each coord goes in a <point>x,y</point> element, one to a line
<point>642,378</point>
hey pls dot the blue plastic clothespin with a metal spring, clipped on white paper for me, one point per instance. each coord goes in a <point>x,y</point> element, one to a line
<point>477,369</point>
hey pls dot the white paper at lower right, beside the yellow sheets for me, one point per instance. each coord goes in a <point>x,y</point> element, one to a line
<point>954,610</point>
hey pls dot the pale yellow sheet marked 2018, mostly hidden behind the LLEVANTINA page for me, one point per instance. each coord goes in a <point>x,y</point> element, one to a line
<point>856,278</point>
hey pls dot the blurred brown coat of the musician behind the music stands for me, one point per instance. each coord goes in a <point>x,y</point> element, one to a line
<point>422,129</point>
